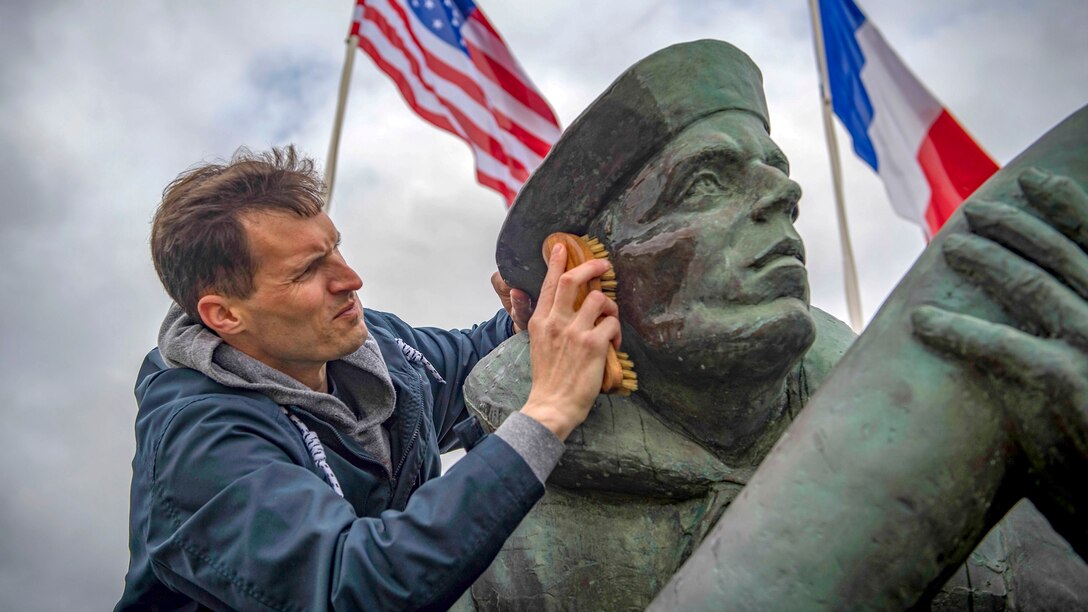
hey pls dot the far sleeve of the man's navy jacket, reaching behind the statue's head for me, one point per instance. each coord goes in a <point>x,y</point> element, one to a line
<point>453,353</point>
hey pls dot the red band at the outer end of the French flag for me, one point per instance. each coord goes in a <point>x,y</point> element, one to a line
<point>955,167</point>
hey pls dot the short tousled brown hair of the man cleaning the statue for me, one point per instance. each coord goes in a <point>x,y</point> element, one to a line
<point>199,243</point>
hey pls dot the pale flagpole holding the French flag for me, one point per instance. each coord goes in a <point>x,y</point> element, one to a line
<point>849,270</point>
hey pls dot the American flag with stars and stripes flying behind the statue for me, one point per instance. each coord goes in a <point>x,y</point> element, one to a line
<point>455,71</point>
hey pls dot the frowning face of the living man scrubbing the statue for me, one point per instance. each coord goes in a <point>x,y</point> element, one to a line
<point>305,311</point>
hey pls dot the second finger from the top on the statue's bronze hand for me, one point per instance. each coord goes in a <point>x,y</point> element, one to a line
<point>1038,242</point>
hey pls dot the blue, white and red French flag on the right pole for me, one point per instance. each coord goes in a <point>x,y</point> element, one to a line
<point>926,160</point>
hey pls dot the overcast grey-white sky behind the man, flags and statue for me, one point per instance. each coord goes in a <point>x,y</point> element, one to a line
<point>103,104</point>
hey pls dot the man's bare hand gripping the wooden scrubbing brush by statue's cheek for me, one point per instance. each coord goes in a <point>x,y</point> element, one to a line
<point>567,349</point>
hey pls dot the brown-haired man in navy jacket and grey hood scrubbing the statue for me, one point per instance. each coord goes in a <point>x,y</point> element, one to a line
<point>288,440</point>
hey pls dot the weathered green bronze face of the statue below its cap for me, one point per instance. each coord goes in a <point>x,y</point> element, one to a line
<point>711,267</point>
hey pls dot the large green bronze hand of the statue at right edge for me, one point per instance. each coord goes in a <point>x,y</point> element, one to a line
<point>1036,267</point>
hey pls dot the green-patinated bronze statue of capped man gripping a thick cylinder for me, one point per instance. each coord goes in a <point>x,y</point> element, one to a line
<point>902,460</point>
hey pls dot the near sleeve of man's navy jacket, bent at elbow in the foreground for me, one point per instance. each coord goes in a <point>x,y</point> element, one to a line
<point>239,522</point>
